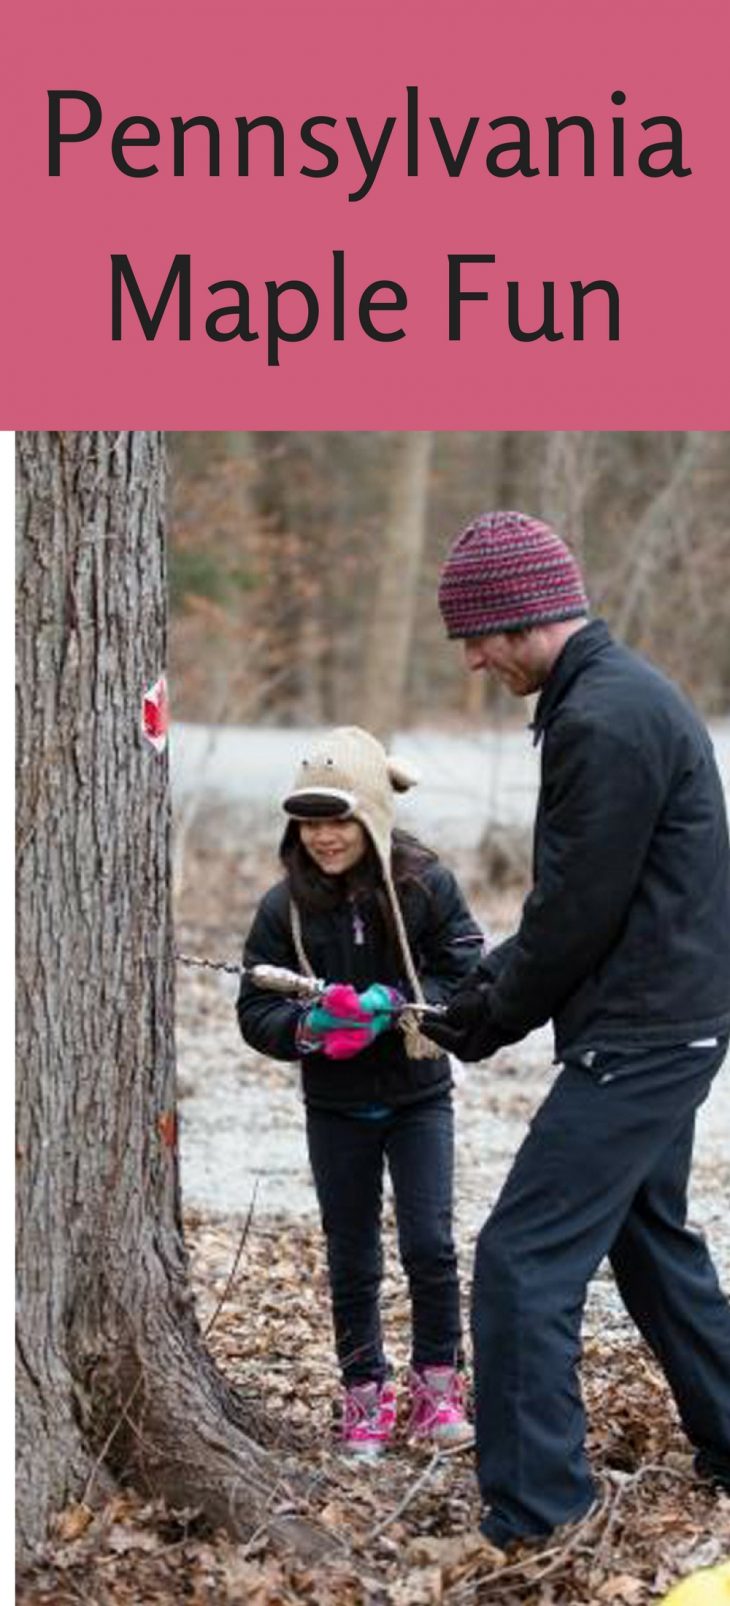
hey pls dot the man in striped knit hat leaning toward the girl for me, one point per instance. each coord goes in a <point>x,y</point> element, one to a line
<point>625,944</point>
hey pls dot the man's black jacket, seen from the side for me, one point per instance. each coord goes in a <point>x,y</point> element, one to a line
<point>627,934</point>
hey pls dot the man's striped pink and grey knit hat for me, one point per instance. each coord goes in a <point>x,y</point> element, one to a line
<point>509,573</point>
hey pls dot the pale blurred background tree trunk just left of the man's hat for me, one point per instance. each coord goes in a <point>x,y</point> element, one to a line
<point>394,606</point>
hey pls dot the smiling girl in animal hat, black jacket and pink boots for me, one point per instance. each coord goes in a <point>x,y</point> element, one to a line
<point>379,918</point>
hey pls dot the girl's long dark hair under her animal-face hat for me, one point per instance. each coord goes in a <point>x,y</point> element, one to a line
<point>318,894</point>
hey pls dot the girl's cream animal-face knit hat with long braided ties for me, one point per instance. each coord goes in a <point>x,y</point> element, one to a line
<point>347,775</point>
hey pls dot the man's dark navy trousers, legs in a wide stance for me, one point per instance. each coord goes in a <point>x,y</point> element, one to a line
<point>602,1172</point>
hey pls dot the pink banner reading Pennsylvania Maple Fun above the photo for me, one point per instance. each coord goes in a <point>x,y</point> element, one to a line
<point>346,216</point>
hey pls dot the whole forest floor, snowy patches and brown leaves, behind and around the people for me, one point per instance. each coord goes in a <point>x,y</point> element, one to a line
<point>404,1531</point>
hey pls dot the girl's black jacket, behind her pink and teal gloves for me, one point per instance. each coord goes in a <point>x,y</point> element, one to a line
<point>343,948</point>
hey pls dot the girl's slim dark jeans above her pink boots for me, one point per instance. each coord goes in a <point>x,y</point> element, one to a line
<point>349,1159</point>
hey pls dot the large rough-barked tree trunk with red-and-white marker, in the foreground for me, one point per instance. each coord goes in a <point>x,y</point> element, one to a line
<point>112,1368</point>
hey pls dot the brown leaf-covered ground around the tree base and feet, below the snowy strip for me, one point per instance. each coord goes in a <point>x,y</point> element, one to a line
<point>404,1531</point>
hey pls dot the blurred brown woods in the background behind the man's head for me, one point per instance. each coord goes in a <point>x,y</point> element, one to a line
<point>304,566</point>
